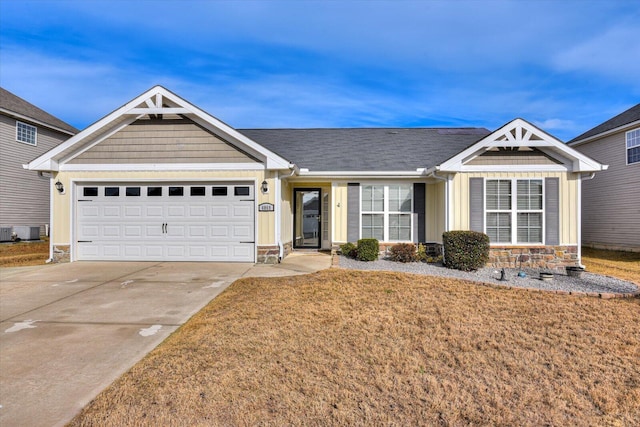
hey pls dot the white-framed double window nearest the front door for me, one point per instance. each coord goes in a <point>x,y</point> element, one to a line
<point>387,212</point>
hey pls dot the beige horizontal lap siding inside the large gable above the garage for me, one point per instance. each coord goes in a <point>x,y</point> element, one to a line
<point>166,141</point>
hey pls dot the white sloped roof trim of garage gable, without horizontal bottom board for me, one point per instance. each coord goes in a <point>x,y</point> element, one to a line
<point>152,102</point>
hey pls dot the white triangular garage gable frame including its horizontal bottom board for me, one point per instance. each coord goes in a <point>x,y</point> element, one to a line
<point>160,106</point>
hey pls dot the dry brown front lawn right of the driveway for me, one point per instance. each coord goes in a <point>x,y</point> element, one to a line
<point>360,348</point>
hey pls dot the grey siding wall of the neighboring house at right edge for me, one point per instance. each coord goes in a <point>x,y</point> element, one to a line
<point>611,200</point>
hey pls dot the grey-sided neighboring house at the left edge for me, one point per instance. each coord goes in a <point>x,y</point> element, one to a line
<point>26,132</point>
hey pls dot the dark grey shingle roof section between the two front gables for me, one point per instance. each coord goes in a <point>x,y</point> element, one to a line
<point>366,149</point>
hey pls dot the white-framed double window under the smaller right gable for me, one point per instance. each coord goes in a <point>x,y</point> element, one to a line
<point>510,202</point>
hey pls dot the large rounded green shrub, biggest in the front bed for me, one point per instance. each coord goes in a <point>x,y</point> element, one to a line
<point>465,250</point>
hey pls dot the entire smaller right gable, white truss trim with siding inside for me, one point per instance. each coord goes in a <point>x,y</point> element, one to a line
<point>519,146</point>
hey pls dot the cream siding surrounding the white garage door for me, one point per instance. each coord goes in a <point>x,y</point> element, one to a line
<point>63,203</point>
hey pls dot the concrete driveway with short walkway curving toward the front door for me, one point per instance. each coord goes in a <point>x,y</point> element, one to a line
<point>67,331</point>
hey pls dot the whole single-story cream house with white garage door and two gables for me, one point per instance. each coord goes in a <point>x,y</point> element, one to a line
<point>160,179</point>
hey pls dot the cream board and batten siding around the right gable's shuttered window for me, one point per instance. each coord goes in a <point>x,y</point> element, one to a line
<point>568,199</point>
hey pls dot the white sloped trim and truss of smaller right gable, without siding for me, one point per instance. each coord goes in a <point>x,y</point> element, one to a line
<point>519,133</point>
